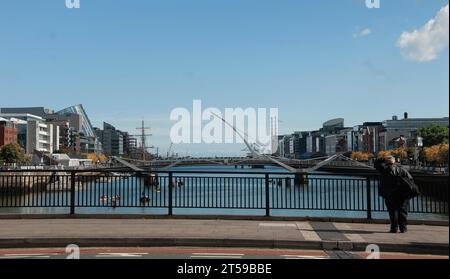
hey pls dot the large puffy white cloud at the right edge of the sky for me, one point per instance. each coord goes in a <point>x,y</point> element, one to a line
<point>426,43</point>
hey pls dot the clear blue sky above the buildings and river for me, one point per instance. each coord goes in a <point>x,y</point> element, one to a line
<point>125,60</point>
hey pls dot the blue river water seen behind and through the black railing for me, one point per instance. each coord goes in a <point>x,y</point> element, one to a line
<point>236,192</point>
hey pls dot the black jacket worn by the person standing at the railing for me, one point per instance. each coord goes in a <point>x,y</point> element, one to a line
<point>389,182</point>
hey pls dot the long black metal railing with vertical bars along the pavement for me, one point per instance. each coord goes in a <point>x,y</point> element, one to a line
<point>210,190</point>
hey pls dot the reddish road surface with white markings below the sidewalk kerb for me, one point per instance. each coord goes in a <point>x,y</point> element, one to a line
<point>197,253</point>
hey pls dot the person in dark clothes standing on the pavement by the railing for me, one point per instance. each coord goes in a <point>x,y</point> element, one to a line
<point>397,188</point>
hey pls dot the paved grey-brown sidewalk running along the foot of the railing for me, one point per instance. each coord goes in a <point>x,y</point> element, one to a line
<point>220,233</point>
